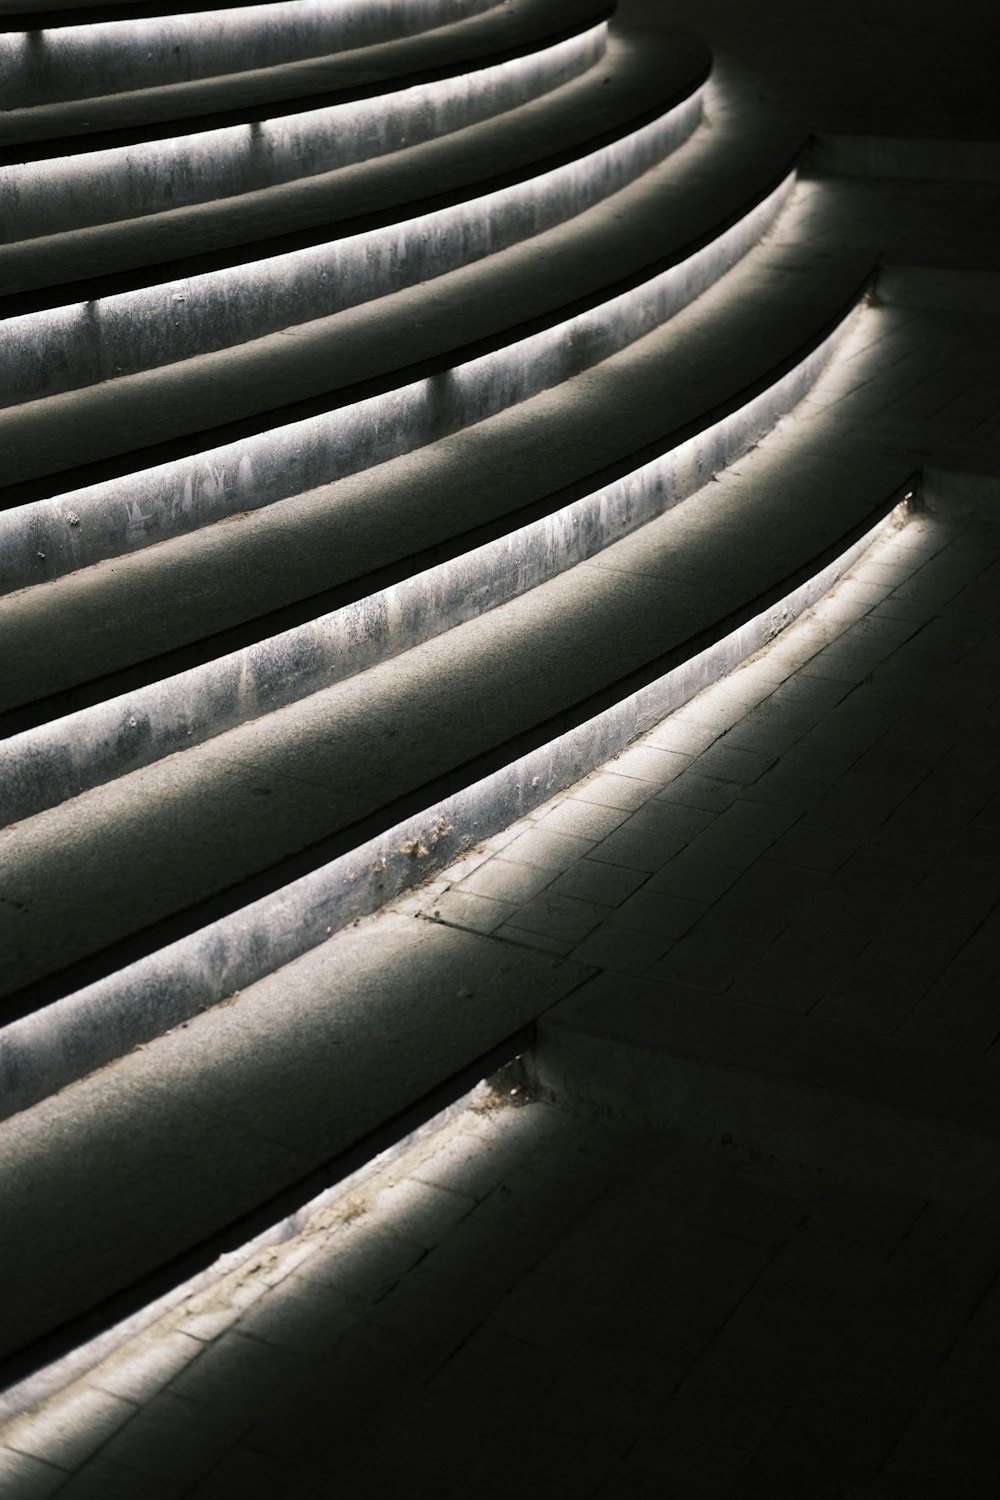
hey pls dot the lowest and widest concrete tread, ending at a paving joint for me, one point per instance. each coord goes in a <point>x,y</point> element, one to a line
<point>280,1084</point>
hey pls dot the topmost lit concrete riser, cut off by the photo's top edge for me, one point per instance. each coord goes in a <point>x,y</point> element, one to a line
<point>79,62</point>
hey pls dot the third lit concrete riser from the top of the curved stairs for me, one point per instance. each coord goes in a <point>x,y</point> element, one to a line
<point>70,347</point>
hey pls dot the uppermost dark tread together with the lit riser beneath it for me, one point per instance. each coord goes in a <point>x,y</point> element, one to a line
<point>139,155</point>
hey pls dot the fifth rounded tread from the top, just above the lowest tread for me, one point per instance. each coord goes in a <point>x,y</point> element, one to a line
<point>293,790</point>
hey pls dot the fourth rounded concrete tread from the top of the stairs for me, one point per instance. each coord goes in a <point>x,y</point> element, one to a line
<point>484,482</point>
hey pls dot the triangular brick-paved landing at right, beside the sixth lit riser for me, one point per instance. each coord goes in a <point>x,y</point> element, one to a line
<point>815,841</point>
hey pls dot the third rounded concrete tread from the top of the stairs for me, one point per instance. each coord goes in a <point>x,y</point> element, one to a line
<point>412,334</point>
